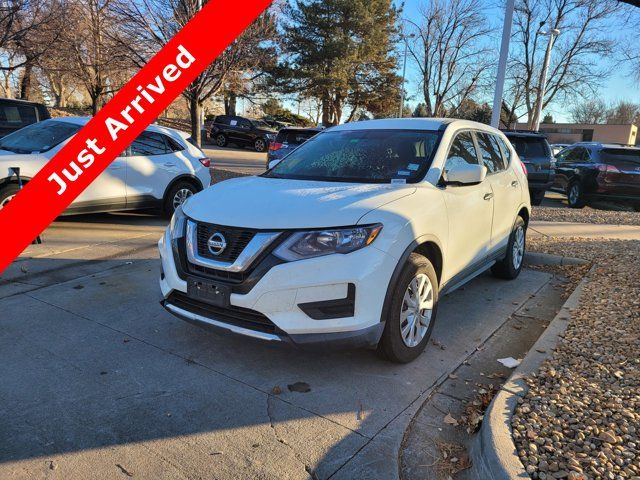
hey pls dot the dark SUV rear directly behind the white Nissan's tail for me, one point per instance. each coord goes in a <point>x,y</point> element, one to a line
<point>535,152</point>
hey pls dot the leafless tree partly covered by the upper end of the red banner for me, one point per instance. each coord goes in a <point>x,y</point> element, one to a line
<point>147,25</point>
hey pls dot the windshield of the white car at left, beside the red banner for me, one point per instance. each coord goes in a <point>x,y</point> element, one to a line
<point>39,137</point>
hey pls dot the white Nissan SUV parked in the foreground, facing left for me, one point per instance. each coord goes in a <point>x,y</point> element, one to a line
<point>353,237</point>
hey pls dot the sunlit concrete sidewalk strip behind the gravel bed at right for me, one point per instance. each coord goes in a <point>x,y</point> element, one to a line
<point>584,230</point>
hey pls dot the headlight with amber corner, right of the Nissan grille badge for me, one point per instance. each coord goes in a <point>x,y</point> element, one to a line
<point>325,242</point>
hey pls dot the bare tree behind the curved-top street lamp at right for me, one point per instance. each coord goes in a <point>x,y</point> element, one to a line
<point>577,67</point>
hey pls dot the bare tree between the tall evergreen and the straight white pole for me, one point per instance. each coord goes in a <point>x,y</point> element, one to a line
<point>449,52</point>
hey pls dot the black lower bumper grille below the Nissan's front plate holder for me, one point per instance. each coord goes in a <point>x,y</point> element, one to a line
<point>237,316</point>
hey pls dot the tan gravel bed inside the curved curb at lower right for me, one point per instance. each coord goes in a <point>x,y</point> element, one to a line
<point>581,416</point>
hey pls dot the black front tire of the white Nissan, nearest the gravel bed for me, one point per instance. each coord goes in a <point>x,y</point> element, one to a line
<point>398,343</point>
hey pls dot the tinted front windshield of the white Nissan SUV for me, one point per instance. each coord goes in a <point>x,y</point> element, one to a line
<point>366,156</point>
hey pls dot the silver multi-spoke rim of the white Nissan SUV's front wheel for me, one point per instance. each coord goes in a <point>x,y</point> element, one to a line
<point>416,310</point>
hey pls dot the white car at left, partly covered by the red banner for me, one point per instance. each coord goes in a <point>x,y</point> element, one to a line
<point>160,169</point>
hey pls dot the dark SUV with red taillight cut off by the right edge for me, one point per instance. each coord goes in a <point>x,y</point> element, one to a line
<point>599,171</point>
